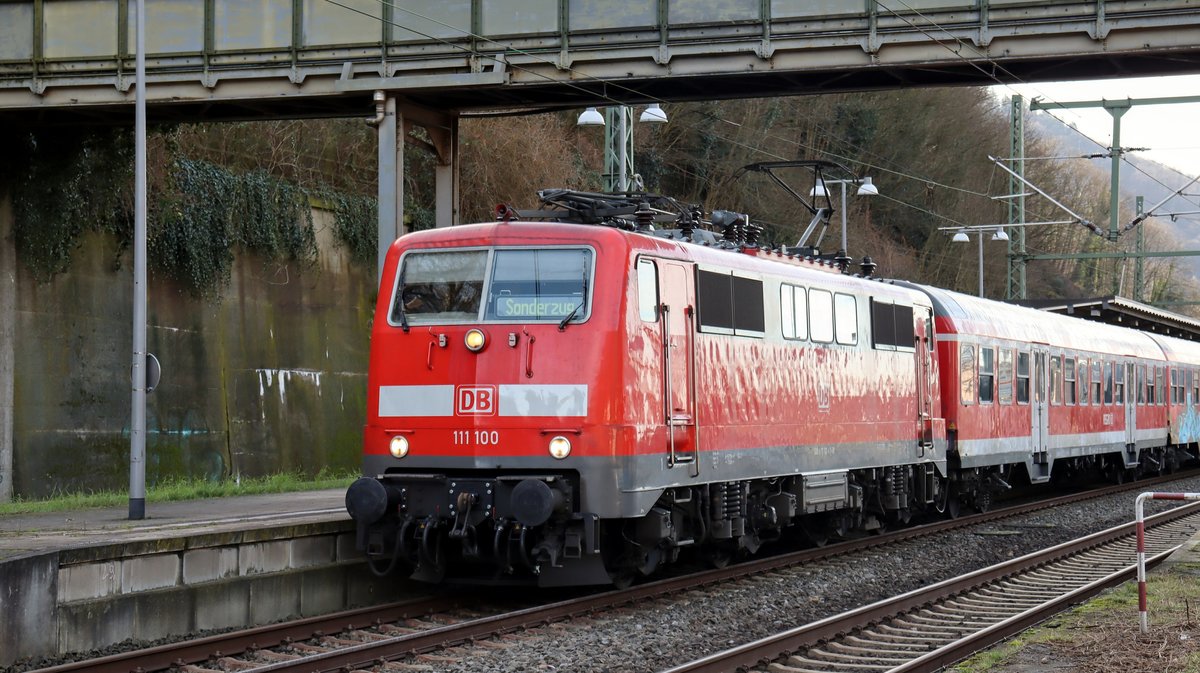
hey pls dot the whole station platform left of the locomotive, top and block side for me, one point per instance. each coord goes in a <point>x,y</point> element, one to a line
<point>189,567</point>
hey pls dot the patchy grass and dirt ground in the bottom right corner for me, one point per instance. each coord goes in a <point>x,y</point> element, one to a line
<point>1102,636</point>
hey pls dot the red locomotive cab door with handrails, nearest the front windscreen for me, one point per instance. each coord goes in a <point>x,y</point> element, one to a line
<point>679,329</point>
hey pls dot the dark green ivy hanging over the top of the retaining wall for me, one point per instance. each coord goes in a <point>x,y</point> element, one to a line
<point>69,183</point>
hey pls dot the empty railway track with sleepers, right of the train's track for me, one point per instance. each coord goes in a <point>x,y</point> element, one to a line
<point>927,630</point>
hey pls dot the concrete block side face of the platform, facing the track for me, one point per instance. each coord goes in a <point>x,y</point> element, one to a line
<point>81,600</point>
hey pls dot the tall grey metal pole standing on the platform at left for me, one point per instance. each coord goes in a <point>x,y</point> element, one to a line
<point>139,420</point>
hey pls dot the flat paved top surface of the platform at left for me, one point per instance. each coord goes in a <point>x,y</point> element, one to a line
<point>38,533</point>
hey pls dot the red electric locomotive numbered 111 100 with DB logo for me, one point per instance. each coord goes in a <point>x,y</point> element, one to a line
<point>578,404</point>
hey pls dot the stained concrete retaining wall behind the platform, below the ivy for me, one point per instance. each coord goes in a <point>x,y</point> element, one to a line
<point>268,377</point>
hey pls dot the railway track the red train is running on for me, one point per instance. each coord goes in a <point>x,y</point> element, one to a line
<point>370,638</point>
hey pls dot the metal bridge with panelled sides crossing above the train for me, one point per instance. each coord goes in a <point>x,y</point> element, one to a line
<point>310,58</point>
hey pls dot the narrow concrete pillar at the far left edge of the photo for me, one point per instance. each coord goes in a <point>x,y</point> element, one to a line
<point>8,335</point>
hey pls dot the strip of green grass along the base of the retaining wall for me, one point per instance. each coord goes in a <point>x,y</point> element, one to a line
<point>185,490</point>
